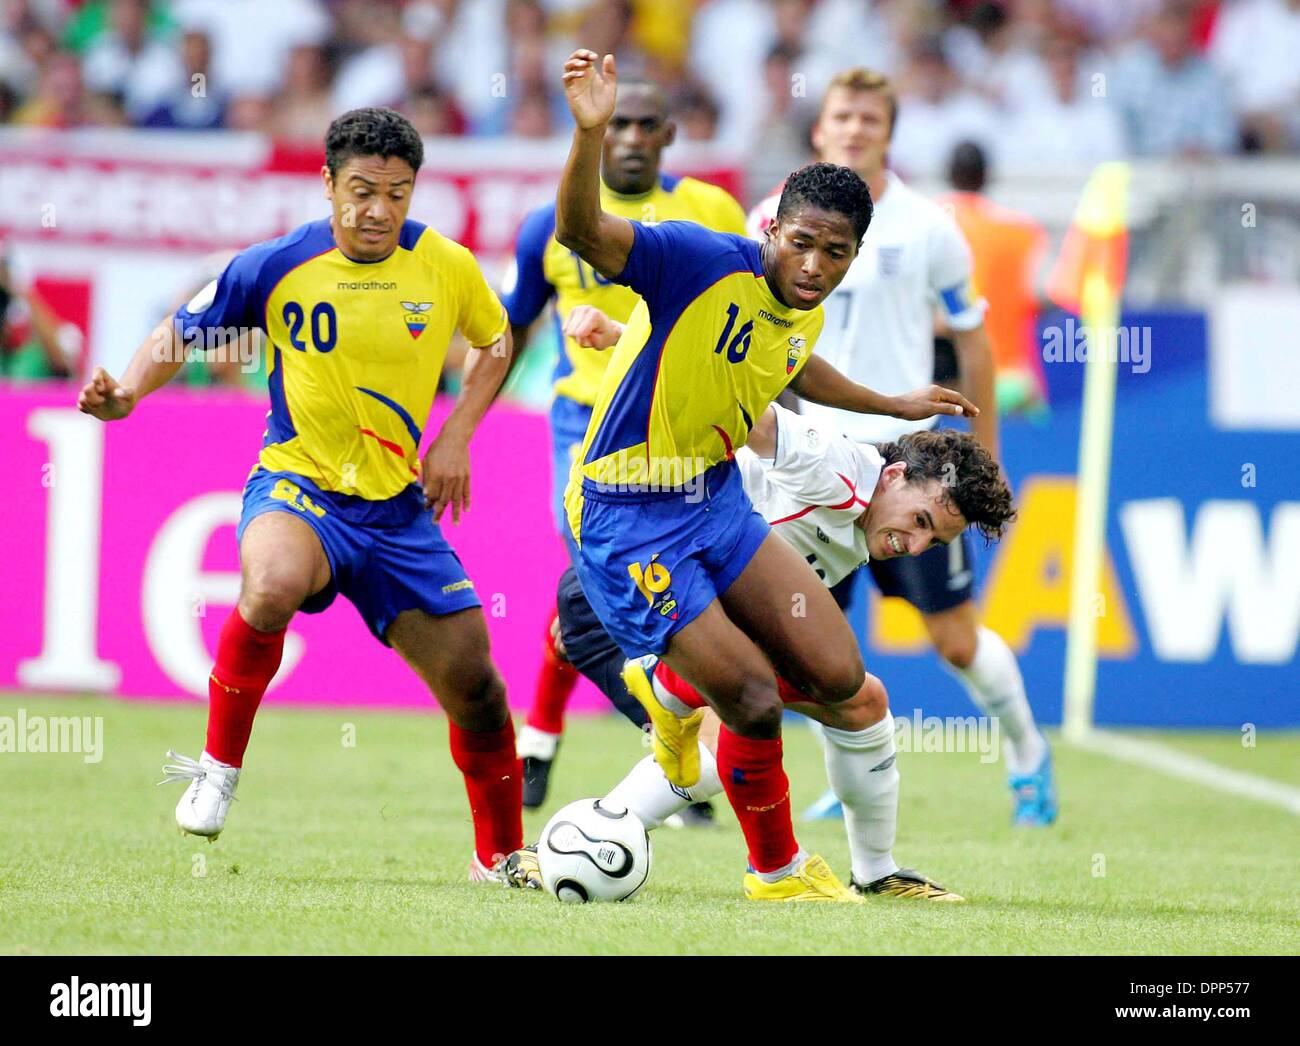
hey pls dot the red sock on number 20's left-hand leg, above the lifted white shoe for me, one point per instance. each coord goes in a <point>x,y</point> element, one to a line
<point>246,661</point>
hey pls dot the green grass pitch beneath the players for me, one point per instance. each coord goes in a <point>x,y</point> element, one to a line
<point>363,849</point>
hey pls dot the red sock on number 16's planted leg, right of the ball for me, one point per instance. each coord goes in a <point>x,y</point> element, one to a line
<point>760,793</point>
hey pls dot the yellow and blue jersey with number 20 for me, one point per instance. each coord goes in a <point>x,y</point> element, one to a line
<point>356,348</point>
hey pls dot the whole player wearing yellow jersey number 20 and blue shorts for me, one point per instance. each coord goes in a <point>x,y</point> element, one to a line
<point>358,310</point>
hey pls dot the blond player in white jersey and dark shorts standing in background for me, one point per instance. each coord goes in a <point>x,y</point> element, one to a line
<point>881,322</point>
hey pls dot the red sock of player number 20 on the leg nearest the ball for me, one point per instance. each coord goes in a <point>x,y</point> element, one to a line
<point>495,782</point>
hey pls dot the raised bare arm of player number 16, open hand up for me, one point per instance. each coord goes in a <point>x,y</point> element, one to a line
<point>601,240</point>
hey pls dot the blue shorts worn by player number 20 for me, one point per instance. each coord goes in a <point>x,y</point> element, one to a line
<point>385,557</point>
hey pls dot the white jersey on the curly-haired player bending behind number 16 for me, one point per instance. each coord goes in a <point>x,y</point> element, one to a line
<point>813,491</point>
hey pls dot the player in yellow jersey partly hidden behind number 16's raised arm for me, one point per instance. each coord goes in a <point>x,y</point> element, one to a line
<point>632,186</point>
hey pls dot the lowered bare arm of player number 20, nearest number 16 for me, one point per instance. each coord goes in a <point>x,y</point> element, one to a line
<point>445,471</point>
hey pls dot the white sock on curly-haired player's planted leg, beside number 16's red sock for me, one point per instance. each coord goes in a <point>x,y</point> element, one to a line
<point>861,766</point>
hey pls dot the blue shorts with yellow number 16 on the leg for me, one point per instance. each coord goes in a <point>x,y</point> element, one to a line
<point>652,563</point>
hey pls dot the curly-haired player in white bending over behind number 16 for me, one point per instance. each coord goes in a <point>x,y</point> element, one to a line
<point>840,505</point>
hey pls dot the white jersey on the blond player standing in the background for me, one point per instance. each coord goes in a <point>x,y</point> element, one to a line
<point>881,322</point>
